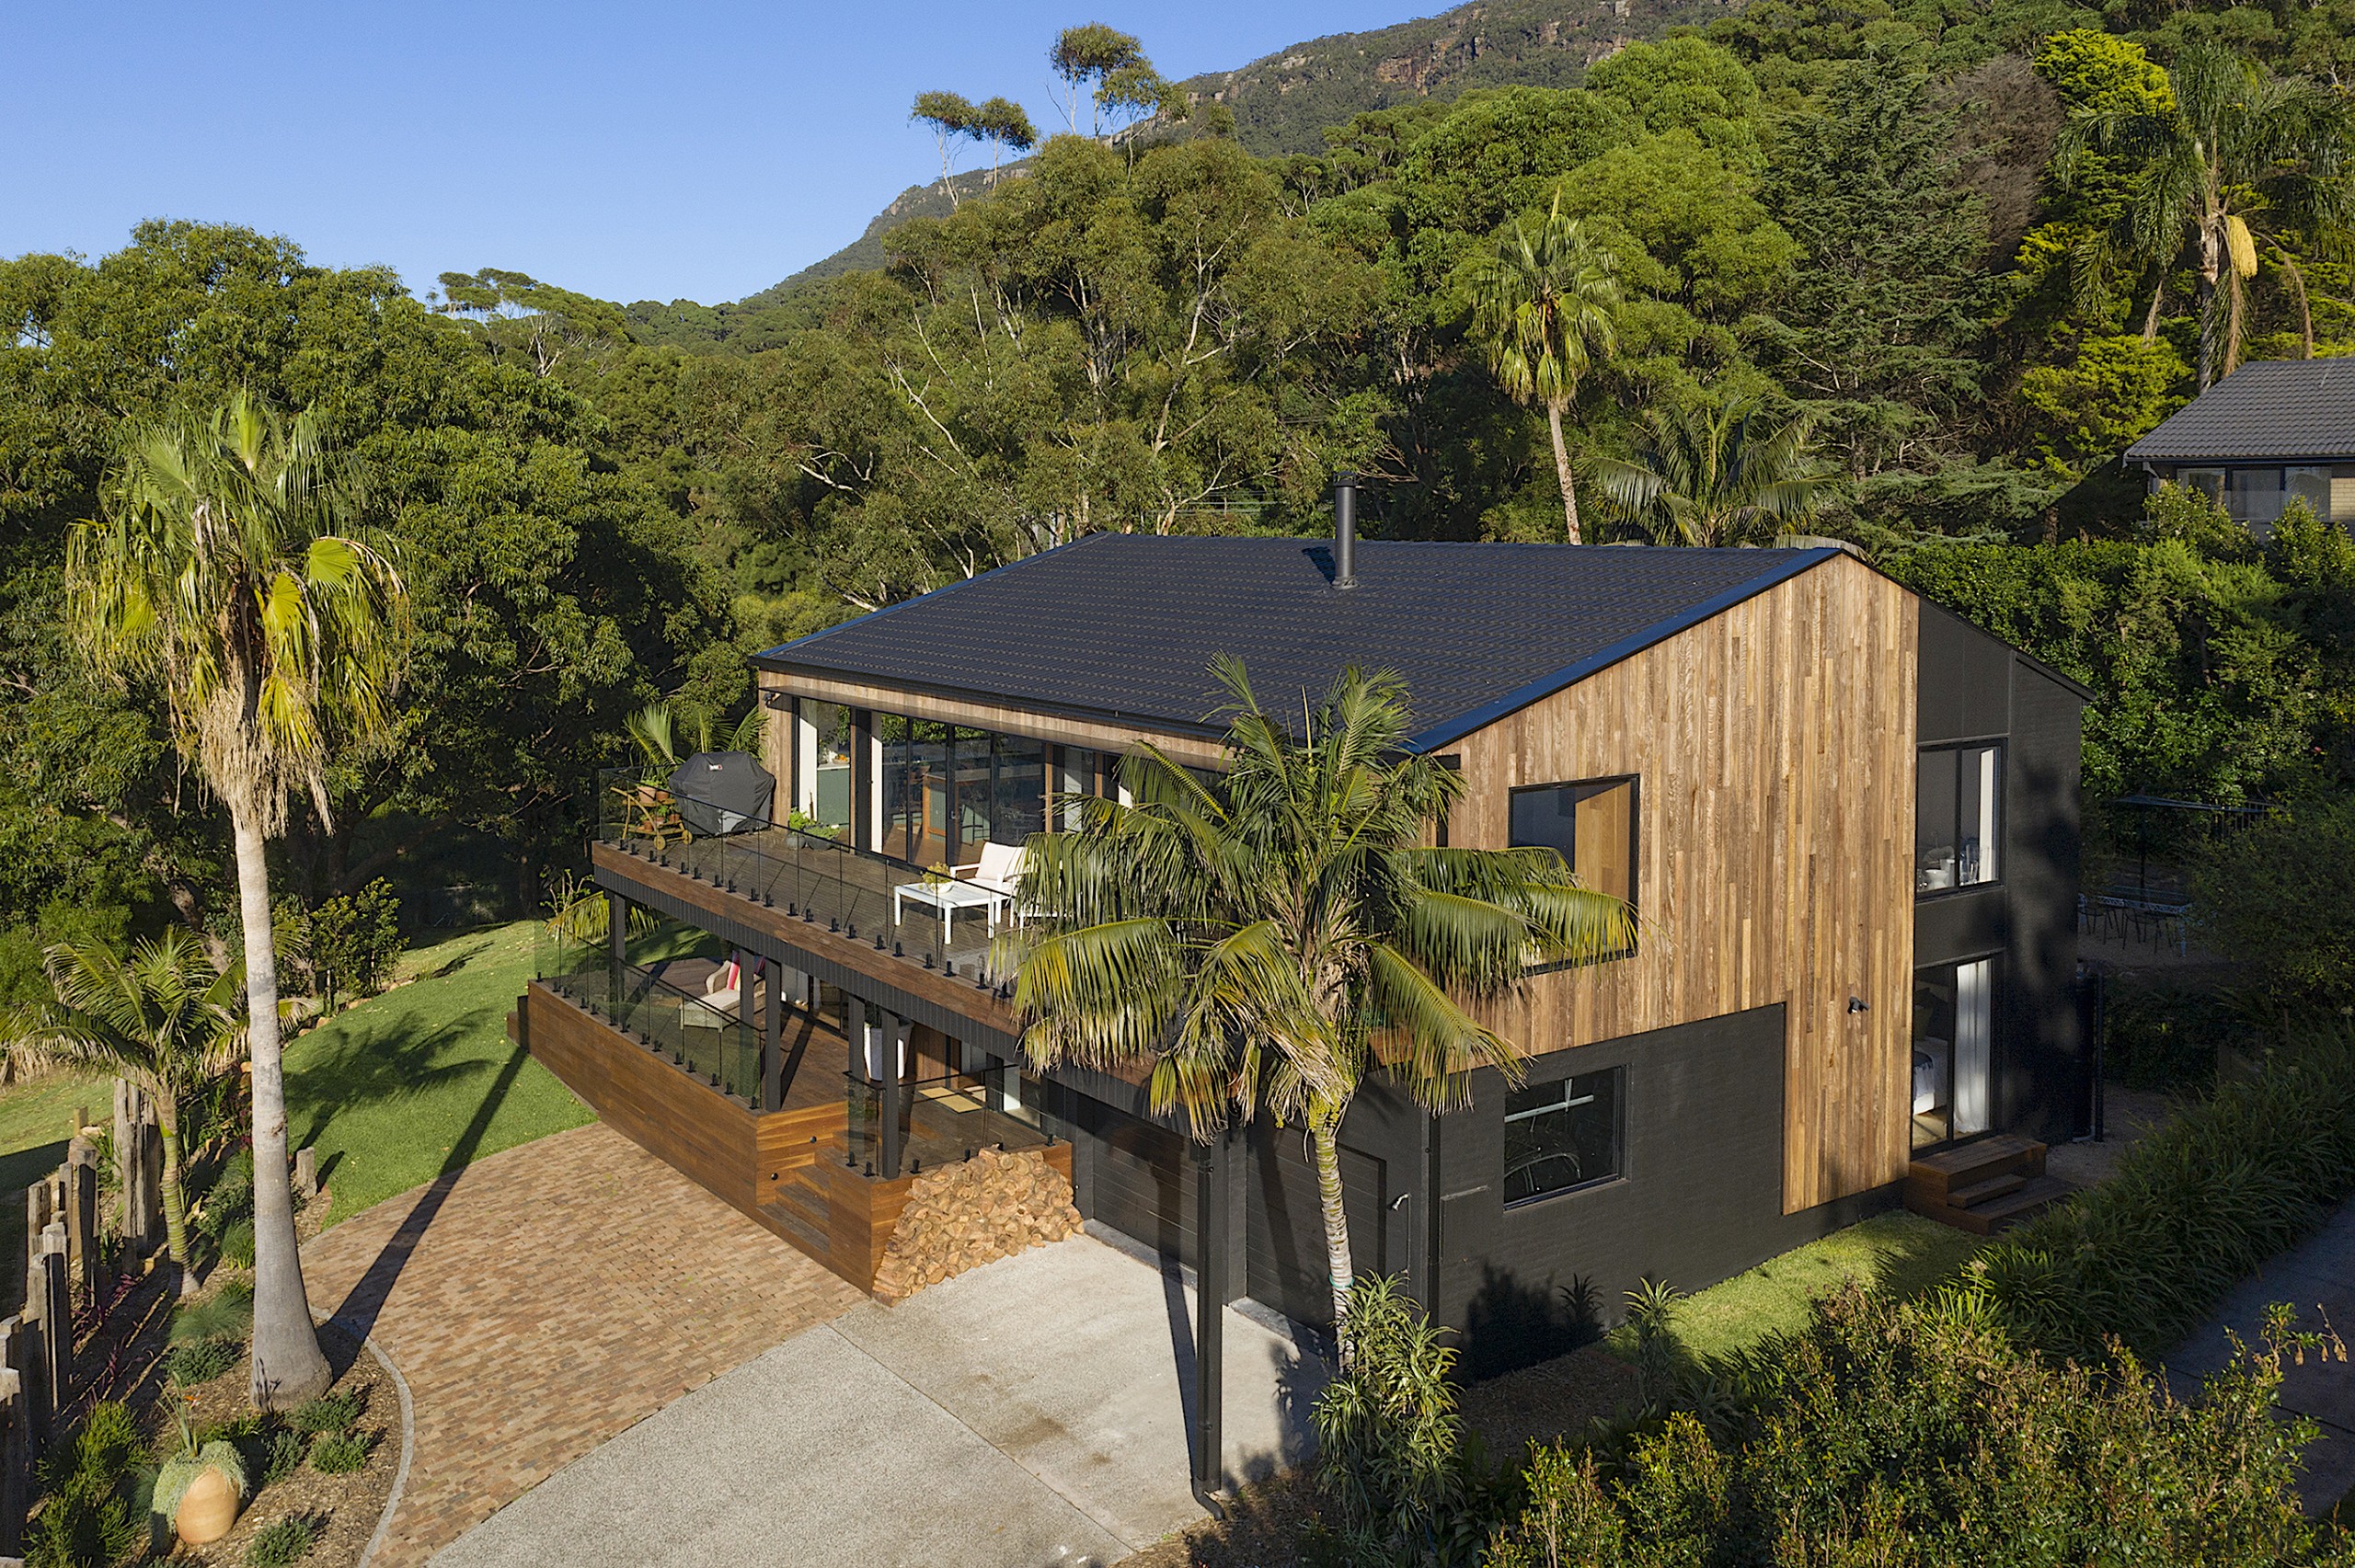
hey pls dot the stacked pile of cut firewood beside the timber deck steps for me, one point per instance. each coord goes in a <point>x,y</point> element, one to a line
<point>976,1211</point>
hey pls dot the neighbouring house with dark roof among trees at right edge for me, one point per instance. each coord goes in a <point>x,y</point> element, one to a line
<point>2269,434</point>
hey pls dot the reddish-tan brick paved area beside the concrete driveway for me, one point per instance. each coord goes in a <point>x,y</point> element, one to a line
<point>548,1298</point>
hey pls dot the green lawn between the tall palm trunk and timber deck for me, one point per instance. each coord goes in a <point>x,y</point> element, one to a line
<point>423,1079</point>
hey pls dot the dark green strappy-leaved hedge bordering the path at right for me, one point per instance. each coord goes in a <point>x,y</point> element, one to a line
<point>2191,1211</point>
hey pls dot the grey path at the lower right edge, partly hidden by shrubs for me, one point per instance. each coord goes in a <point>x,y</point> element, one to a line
<point>2318,1282</point>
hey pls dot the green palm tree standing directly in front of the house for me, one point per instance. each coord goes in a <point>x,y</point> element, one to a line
<point>1280,934</point>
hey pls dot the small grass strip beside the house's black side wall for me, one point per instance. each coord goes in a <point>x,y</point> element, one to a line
<point>1895,1254</point>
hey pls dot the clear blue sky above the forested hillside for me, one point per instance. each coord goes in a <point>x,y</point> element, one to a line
<point>632,152</point>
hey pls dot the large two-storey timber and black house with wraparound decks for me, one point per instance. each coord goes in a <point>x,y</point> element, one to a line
<point>1845,818</point>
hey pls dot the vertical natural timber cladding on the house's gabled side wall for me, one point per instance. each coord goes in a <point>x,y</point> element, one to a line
<point>1777,759</point>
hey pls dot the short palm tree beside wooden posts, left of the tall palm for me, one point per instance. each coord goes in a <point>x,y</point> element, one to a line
<point>166,1021</point>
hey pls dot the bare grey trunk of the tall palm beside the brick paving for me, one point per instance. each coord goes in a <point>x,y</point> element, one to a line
<point>288,1367</point>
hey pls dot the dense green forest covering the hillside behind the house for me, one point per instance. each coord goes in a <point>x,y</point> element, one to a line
<point>1930,265</point>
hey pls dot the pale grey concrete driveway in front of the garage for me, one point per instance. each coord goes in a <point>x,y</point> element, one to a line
<point>1033,1411</point>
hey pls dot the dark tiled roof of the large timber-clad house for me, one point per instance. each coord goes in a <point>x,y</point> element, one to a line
<point>1125,627</point>
